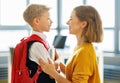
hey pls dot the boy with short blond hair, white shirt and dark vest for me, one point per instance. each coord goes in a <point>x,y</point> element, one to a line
<point>38,17</point>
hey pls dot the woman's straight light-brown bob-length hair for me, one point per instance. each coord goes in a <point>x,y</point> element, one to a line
<point>93,32</point>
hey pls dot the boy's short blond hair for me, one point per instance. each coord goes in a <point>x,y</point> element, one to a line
<point>33,11</point>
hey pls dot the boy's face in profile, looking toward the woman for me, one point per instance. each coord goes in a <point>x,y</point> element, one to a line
<point>44,22</point>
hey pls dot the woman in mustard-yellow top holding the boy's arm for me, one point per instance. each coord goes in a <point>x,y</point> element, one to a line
<point>86,25</point>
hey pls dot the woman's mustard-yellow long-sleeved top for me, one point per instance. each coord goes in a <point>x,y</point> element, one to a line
<point>83,66</point>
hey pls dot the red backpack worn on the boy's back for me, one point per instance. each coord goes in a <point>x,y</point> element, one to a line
<point>20,72</point>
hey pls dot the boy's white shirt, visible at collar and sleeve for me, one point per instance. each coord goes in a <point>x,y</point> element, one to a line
<point>38,50</point>
